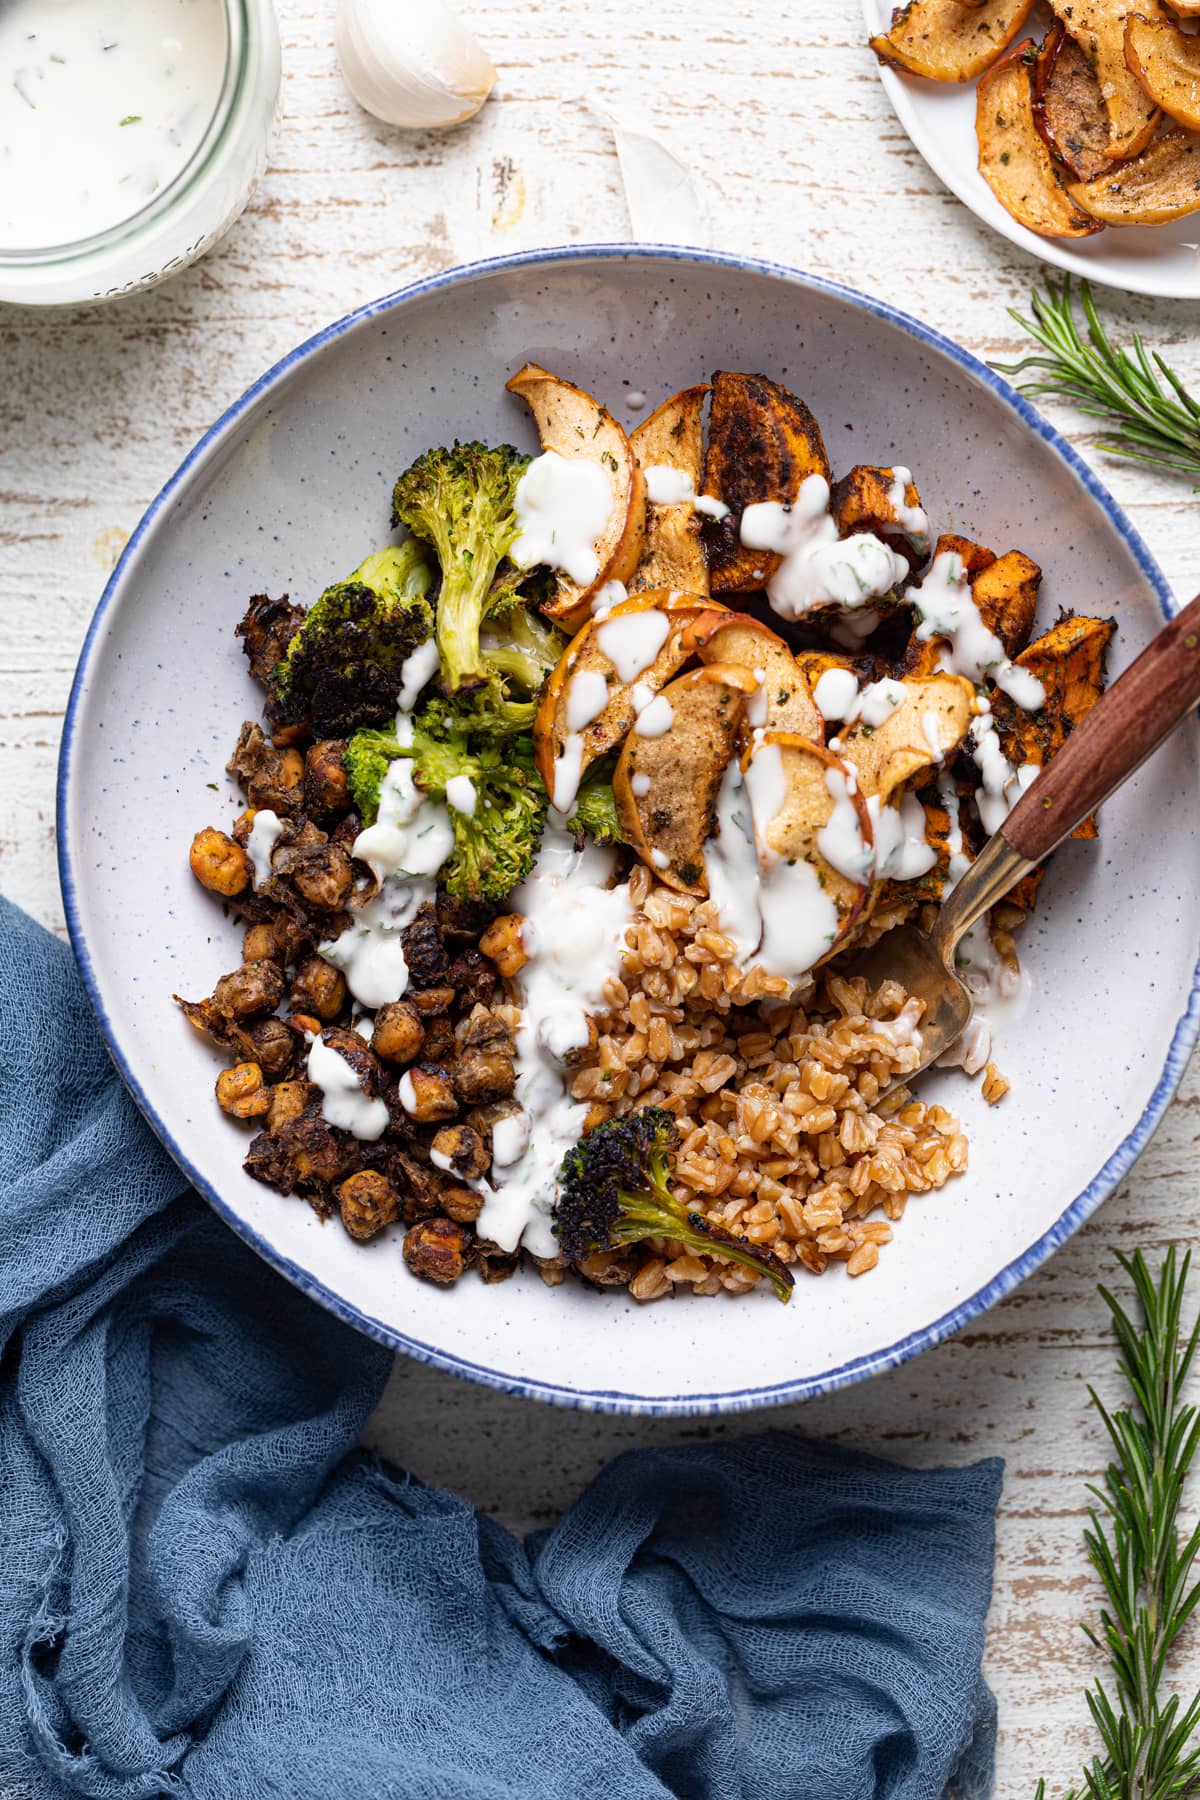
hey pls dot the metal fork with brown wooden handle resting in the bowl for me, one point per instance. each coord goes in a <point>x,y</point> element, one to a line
<point>1125,726</point>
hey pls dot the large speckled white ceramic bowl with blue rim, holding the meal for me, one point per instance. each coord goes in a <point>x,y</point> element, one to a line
<point>292,487</point>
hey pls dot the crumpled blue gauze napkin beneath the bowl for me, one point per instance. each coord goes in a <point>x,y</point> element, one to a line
<point>206,1590</point>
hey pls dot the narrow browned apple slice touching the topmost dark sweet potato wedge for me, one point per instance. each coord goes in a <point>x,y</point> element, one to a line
<point>670,453</point>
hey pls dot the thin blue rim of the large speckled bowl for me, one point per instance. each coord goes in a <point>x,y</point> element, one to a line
<point>607,1399</point>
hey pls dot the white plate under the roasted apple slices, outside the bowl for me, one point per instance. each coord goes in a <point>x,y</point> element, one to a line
<point>940,118</point>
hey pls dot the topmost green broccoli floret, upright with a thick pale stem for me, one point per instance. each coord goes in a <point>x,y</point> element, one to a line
<point>463,503</point>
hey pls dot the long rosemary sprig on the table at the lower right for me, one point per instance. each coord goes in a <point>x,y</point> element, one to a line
<point>1134,1545</point>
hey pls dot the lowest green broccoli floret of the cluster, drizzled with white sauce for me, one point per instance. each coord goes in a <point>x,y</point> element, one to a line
<point>492,791</point>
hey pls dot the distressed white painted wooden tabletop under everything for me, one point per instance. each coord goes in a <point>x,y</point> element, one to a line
<point>784,114</point>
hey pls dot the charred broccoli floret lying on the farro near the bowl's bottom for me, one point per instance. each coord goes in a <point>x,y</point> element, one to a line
<point>616,1189</point>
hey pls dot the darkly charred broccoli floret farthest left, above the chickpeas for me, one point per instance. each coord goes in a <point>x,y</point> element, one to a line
<point>345,665</point>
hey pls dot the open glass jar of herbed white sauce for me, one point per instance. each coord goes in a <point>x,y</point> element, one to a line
<point>132,134</point>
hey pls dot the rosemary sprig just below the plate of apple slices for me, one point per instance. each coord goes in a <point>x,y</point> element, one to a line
<point>1151,415</point>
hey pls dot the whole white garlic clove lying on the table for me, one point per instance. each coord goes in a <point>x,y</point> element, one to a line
<point>413,64</point>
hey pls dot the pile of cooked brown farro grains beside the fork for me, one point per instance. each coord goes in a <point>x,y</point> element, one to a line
<point>784,1135</point>
